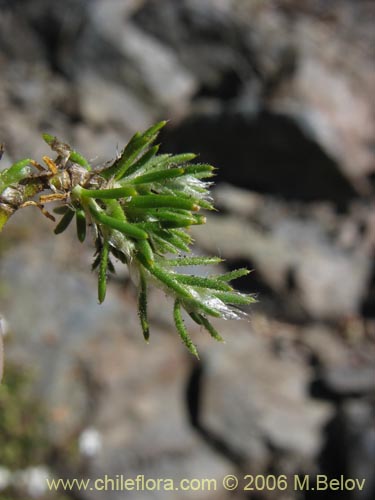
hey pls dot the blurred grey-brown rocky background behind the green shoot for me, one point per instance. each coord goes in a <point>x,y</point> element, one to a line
<point>278,94</point>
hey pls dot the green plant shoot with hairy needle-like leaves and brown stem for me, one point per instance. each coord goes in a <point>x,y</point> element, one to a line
<point>140,209</point>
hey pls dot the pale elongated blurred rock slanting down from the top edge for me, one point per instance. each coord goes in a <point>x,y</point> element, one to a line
<point>148,68</point>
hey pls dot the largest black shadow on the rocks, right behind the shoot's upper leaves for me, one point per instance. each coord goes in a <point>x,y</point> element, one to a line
<point>264,152</point>
